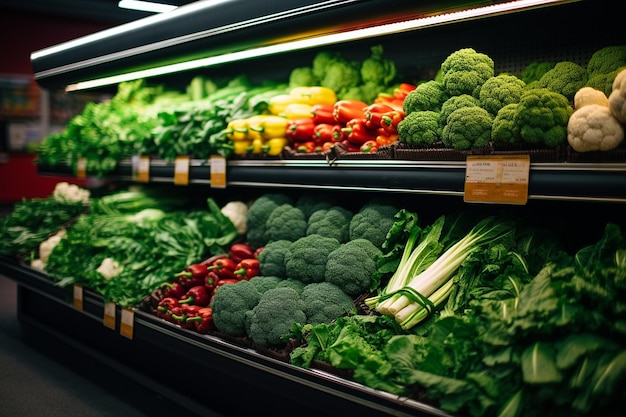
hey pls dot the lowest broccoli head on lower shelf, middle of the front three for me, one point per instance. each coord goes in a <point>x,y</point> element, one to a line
<point>271,320</point>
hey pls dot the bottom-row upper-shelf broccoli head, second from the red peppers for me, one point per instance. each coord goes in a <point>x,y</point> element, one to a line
<point>467,128</point>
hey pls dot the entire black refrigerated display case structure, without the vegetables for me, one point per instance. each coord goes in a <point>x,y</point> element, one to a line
<point>202,372</point>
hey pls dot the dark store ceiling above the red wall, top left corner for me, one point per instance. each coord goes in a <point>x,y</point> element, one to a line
<point>102,11</point>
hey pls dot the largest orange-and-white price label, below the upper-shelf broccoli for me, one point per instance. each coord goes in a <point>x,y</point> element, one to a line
<point>497,179</point>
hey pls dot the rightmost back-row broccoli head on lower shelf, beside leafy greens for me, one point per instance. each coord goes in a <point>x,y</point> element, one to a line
<point>373,221</point>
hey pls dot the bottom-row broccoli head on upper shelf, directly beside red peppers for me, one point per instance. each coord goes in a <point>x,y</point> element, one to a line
<point>420,128</point>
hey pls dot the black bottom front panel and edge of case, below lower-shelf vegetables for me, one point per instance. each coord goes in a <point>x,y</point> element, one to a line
<point>147,355</point>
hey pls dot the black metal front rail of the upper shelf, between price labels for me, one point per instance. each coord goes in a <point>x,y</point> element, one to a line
<point>602,182</point>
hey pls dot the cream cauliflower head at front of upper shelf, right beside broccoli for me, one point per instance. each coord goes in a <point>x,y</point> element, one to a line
<point>593,128</point>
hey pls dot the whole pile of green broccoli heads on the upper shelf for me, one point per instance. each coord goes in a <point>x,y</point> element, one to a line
<point>468,106</point>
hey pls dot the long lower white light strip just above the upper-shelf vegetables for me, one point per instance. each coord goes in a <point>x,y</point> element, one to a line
<point>364,33</point>
